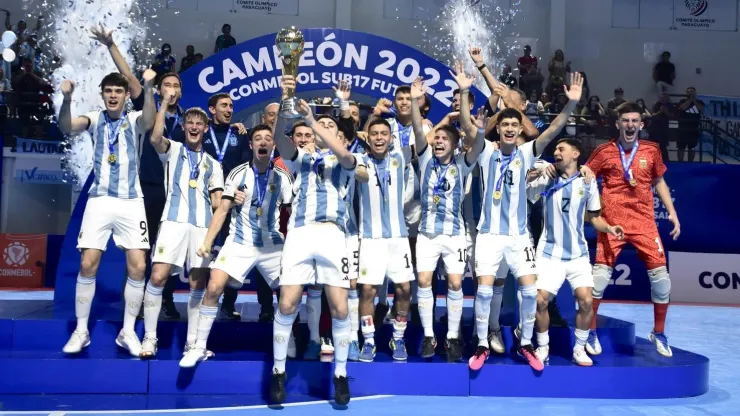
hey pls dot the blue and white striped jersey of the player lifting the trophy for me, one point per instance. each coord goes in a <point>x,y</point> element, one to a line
<point>320,188</point>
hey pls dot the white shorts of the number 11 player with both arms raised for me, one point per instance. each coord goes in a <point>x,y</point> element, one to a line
<point>516,251</point>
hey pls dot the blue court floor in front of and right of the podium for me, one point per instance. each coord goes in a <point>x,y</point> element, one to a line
<point>709,331</point>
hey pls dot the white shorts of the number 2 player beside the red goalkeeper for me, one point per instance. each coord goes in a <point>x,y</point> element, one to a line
<point>552,274</point>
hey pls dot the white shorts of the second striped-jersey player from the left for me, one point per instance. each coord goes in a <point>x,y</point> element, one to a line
<point>177,244</point>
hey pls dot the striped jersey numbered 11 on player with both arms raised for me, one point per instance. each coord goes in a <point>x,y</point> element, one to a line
<point>504,176</point>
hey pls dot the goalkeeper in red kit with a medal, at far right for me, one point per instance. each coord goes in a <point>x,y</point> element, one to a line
<point>630,168</point>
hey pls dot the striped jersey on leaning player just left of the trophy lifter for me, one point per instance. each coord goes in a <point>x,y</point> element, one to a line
<point>251,223</point>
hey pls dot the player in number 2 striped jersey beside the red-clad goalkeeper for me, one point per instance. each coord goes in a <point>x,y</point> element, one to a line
<point>562,252</point>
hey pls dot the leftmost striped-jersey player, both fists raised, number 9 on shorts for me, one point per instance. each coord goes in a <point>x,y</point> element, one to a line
<point>115,205</point>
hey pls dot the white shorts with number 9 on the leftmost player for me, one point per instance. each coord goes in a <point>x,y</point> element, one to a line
<point>106,215</point>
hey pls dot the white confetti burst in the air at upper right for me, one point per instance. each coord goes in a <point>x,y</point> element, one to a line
<point>464,23</point>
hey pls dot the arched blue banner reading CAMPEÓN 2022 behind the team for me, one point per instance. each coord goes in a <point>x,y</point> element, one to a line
<point>250,72</point>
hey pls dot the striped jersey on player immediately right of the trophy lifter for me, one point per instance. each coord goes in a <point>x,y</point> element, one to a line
<point>381,199</point>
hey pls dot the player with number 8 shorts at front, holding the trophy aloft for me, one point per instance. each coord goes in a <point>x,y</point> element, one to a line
<point>318,211</point>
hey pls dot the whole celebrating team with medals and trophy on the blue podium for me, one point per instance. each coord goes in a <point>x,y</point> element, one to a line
<point>385,203</point>
